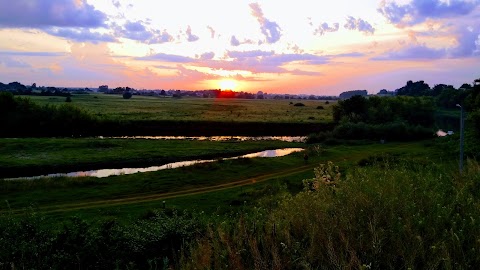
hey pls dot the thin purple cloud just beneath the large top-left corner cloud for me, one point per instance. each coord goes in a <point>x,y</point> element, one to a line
<point>80,35</point>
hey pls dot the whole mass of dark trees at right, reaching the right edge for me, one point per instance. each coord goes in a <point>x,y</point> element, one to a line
<point>408,116</point>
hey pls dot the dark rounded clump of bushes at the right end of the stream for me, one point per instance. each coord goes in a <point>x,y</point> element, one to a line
<point>377,118</point>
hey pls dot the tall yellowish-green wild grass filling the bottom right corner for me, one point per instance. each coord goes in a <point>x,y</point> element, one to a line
<point>386,216</point>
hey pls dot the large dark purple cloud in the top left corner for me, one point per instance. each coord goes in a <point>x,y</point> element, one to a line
<point>46,13</point>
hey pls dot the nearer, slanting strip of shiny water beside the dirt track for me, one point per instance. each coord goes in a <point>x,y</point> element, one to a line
<point>110,172</point>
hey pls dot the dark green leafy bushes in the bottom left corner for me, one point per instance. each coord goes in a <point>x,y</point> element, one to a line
<point>108,245</point>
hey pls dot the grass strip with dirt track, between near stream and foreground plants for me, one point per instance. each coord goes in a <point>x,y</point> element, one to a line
<point>125,196</point>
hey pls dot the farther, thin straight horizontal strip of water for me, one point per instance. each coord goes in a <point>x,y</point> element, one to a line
<point>219,138</point>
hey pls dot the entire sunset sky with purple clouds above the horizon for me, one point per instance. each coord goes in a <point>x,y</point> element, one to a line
<point>290,47</point>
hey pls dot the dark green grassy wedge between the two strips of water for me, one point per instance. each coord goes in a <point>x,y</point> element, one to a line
<point>36,156</point>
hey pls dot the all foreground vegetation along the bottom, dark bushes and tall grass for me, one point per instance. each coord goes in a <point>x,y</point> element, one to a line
<point>388,213</point>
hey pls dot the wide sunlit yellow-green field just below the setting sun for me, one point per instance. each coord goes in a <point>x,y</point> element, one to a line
<point>114,107</point>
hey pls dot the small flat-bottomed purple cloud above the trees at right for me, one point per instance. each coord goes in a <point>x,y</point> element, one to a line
<point>417,52</point>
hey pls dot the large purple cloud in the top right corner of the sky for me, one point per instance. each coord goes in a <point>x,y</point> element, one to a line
<point>417,11</point>
